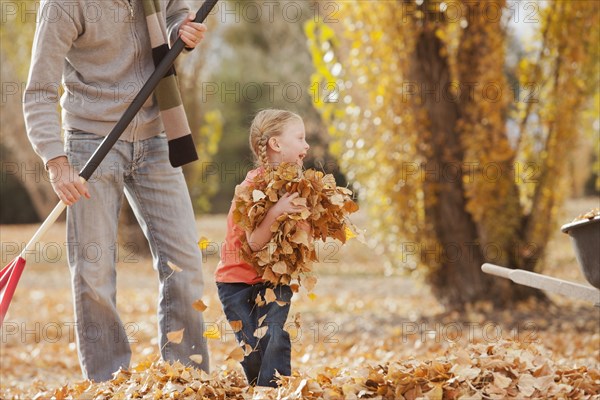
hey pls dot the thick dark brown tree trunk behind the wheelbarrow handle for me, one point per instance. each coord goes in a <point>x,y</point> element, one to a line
<point>458,280</point>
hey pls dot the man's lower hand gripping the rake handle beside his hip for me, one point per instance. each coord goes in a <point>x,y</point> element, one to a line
<point>65,181</point>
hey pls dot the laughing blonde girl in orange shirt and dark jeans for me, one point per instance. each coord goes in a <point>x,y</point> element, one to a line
<point>276,136</point>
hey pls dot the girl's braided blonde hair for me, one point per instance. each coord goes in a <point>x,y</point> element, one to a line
<point>267,124</point>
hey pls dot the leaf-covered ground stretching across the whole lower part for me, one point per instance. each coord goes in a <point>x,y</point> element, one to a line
<point>365,332</point>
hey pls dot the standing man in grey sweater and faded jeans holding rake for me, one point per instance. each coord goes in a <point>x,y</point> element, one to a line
<point>102,53</point>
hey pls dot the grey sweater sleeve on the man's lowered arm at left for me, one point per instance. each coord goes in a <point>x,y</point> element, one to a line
<point>55,32</point>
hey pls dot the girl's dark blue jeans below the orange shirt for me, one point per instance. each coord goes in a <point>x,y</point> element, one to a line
<point>272,352</point>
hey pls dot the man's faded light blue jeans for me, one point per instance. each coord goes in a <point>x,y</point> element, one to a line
<point>160,200</point>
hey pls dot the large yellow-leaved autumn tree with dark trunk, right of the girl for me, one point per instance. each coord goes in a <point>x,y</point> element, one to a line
<point>471,168</point>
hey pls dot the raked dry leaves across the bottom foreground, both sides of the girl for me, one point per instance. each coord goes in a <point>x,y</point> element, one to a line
<point>503,370</point>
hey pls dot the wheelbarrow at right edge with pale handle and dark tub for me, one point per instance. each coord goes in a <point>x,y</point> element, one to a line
<point>585,237</point>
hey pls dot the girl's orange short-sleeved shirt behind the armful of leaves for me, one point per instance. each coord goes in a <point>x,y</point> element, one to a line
<point>232,268</point>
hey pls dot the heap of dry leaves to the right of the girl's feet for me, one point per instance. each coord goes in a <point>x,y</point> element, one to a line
<point>492,371</point>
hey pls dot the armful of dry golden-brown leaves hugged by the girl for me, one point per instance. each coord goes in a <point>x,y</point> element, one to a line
<point>291,251</point>
